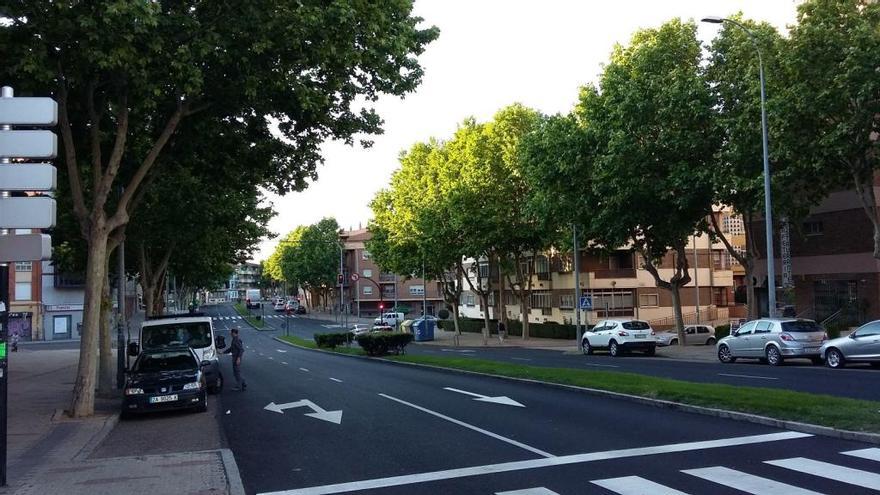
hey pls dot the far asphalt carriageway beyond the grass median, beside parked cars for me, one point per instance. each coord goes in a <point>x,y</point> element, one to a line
<point>854,382</point>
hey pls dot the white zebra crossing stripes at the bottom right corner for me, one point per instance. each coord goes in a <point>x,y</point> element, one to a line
<point>745,482</point>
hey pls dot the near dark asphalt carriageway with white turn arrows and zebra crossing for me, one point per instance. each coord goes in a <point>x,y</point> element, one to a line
<point>312,422</point>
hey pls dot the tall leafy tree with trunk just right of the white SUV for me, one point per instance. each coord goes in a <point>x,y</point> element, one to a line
<point>652,117</point>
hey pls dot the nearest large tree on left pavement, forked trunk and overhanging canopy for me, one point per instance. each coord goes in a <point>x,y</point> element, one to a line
<point>128,74</point>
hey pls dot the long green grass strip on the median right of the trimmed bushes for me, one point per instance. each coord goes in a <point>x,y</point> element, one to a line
<point>824,410</point>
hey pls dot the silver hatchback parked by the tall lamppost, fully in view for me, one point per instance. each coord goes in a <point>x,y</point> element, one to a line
<point>773,340</point>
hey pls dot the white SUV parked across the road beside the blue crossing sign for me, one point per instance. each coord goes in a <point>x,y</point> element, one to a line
<point>619,336</point>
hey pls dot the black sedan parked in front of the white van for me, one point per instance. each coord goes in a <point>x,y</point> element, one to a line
<point>167,378</point>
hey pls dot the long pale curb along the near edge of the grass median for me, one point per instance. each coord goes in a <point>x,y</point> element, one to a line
<point>812,429</point>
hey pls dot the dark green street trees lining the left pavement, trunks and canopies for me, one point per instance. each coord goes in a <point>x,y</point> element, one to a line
<point>173,114</point>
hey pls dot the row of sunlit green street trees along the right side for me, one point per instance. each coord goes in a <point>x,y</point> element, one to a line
<point>665,134</point>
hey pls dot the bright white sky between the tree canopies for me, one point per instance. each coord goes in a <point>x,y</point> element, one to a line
<point>490,54</point>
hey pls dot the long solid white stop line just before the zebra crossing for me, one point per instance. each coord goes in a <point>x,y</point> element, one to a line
<point>538,463</point>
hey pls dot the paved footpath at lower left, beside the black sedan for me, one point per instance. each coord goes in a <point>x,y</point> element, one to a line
<point>49,453</point>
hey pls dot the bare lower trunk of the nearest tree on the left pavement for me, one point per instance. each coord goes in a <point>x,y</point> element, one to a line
<point>83,401</point>
